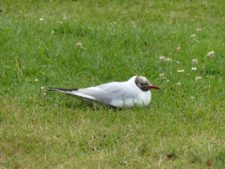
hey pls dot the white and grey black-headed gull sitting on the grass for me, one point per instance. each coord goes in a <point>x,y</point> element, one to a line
<point>135,91</point>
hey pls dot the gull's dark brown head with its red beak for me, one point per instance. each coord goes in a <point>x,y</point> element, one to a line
<point>144,84</point>
